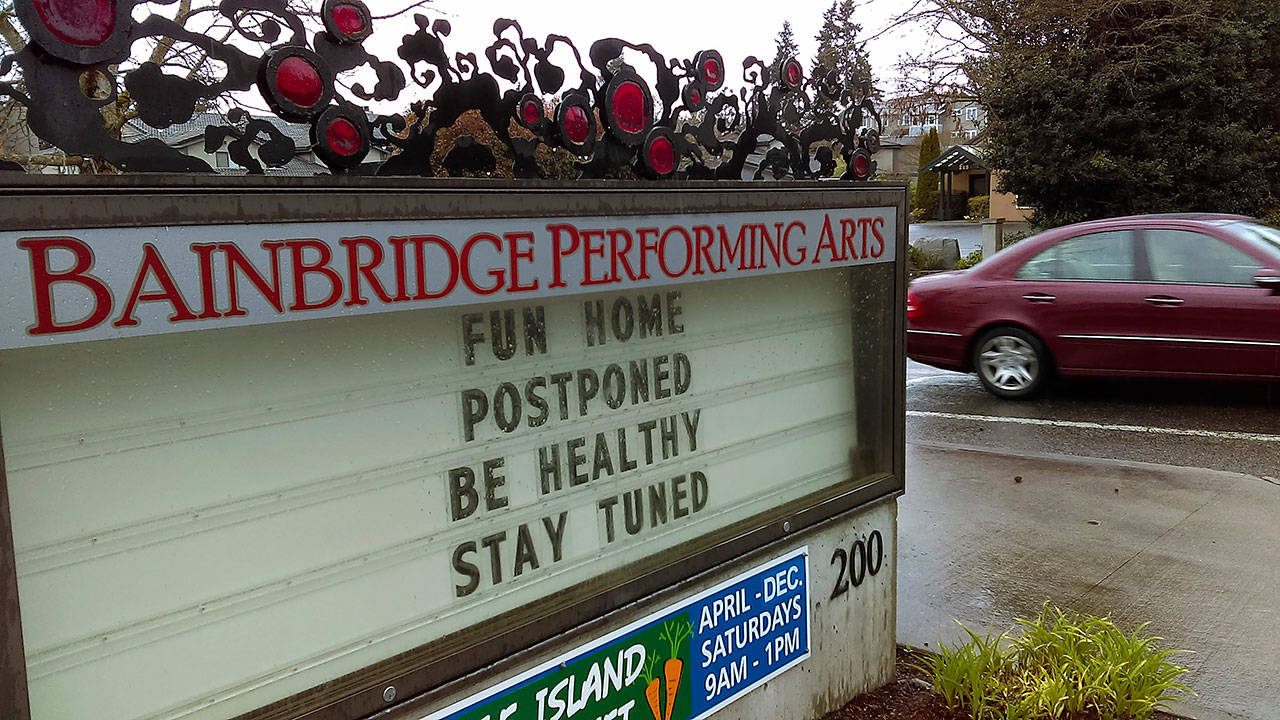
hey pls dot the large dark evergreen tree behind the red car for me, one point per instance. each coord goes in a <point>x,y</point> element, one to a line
<point>1108,108</point>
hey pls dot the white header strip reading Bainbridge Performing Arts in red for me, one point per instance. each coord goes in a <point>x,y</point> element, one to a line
<point>106,284</point>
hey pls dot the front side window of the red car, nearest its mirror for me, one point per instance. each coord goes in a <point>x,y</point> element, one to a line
<point>1186,257</point>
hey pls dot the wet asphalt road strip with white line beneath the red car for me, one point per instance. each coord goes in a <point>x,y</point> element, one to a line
<point>1232,427</point>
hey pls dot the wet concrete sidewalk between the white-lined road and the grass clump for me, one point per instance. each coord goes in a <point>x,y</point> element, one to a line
<point>1194,553</point>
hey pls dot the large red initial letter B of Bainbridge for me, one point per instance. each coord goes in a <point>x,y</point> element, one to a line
<point>43,284</point>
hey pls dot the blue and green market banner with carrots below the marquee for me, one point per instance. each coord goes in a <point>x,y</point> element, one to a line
<point>683,663</point>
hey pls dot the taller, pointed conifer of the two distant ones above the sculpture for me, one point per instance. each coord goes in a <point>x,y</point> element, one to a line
<point>842,60</point>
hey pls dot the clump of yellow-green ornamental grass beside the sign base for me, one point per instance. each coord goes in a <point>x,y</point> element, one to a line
<point>1060,667</point>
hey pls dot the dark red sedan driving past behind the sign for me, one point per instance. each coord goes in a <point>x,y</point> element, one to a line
<point>1174,297</point>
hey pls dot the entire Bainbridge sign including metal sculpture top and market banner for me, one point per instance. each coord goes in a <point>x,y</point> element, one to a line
<point>319,449</point>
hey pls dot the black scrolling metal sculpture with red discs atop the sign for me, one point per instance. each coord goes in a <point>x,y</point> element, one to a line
<point>601,111</point>
